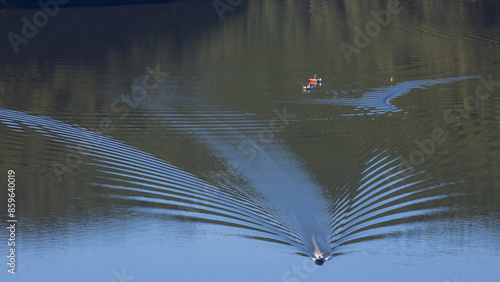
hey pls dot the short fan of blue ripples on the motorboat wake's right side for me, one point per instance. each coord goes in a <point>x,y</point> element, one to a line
<point>391,192</point>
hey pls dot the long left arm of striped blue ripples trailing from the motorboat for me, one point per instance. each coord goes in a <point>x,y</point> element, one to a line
<point>136,175</point>
